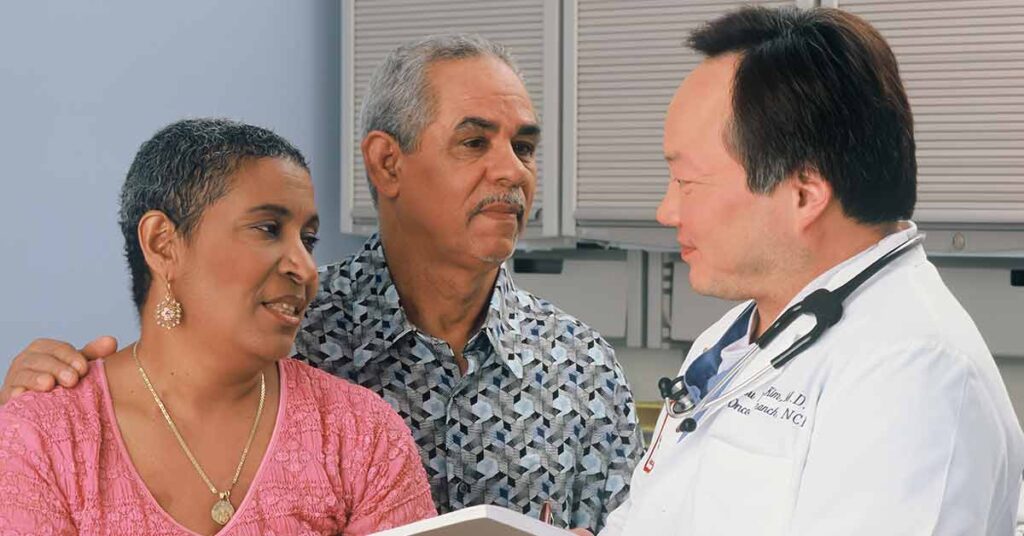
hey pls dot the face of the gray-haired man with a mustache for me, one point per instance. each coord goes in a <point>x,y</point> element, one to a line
<point>468,187</point>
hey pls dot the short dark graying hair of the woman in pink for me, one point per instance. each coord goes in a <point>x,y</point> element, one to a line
<point>184,170</point>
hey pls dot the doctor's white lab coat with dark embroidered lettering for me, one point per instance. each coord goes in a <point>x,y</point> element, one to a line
<point>895,422</point>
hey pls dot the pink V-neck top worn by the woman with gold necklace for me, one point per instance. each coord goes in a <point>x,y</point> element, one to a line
<point>340,462</point>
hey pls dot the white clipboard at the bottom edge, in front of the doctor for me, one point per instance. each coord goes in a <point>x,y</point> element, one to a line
<point>478,521</point>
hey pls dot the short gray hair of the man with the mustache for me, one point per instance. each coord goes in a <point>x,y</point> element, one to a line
<point>399,100</point>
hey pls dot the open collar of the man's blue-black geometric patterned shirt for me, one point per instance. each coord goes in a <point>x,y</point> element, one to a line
<point>503,323</point>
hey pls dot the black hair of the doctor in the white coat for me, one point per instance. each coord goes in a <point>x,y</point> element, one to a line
<point>819,90</point>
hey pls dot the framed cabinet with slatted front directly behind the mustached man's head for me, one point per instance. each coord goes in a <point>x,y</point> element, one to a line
<point>529,28</point>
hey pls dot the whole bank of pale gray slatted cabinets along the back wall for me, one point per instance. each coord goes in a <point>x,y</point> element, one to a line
<point>602,74</point>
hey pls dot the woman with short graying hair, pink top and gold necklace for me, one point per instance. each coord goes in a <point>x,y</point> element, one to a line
<point>201,426</point>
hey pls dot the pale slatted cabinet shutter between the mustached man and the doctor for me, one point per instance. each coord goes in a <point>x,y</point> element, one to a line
<point>631,57</point>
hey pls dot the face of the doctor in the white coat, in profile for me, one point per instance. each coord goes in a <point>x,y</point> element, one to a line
<point>731,237</point>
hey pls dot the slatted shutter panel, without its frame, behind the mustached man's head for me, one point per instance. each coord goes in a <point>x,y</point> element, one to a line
<point>379,26</point>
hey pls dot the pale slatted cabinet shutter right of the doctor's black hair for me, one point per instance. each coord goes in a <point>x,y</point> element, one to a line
<point>963,64</point>
